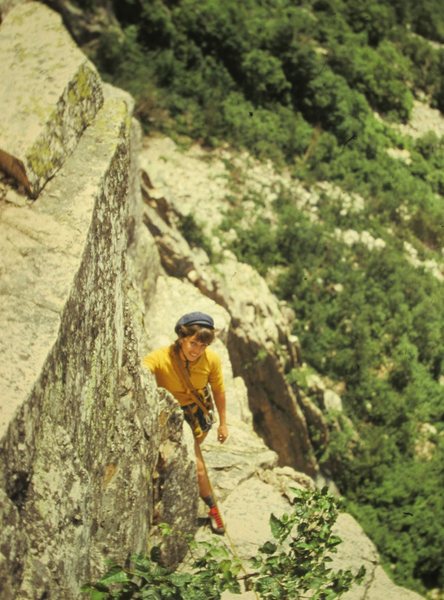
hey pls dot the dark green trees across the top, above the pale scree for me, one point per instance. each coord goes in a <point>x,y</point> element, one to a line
<point>209,67</point>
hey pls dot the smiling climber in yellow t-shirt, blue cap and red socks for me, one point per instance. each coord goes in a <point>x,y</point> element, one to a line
<point>187,368</point>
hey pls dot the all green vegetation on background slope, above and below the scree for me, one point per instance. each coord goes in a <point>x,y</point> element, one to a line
<point>300,82</point>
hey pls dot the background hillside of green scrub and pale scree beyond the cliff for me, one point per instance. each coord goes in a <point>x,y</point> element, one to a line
<point>306,140</point>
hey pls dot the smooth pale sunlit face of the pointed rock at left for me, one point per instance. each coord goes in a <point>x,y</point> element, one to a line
<point>42,248</point>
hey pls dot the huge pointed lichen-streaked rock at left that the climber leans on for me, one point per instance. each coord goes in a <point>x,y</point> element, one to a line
<point>92,456</point>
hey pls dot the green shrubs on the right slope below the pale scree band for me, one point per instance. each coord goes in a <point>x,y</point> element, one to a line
<point>381,333</point>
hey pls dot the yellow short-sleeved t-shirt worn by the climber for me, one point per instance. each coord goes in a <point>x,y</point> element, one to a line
<point>206,369</point>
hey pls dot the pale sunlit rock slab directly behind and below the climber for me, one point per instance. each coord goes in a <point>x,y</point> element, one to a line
<point>245,474</point>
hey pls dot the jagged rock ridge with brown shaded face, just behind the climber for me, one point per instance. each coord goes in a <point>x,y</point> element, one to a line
<point>260,343</point>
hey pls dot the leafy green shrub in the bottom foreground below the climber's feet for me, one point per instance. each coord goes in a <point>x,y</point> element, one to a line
<point>293,563</point>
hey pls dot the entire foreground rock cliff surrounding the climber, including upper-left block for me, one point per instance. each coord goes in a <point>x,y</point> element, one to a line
<point>95,460</point>
